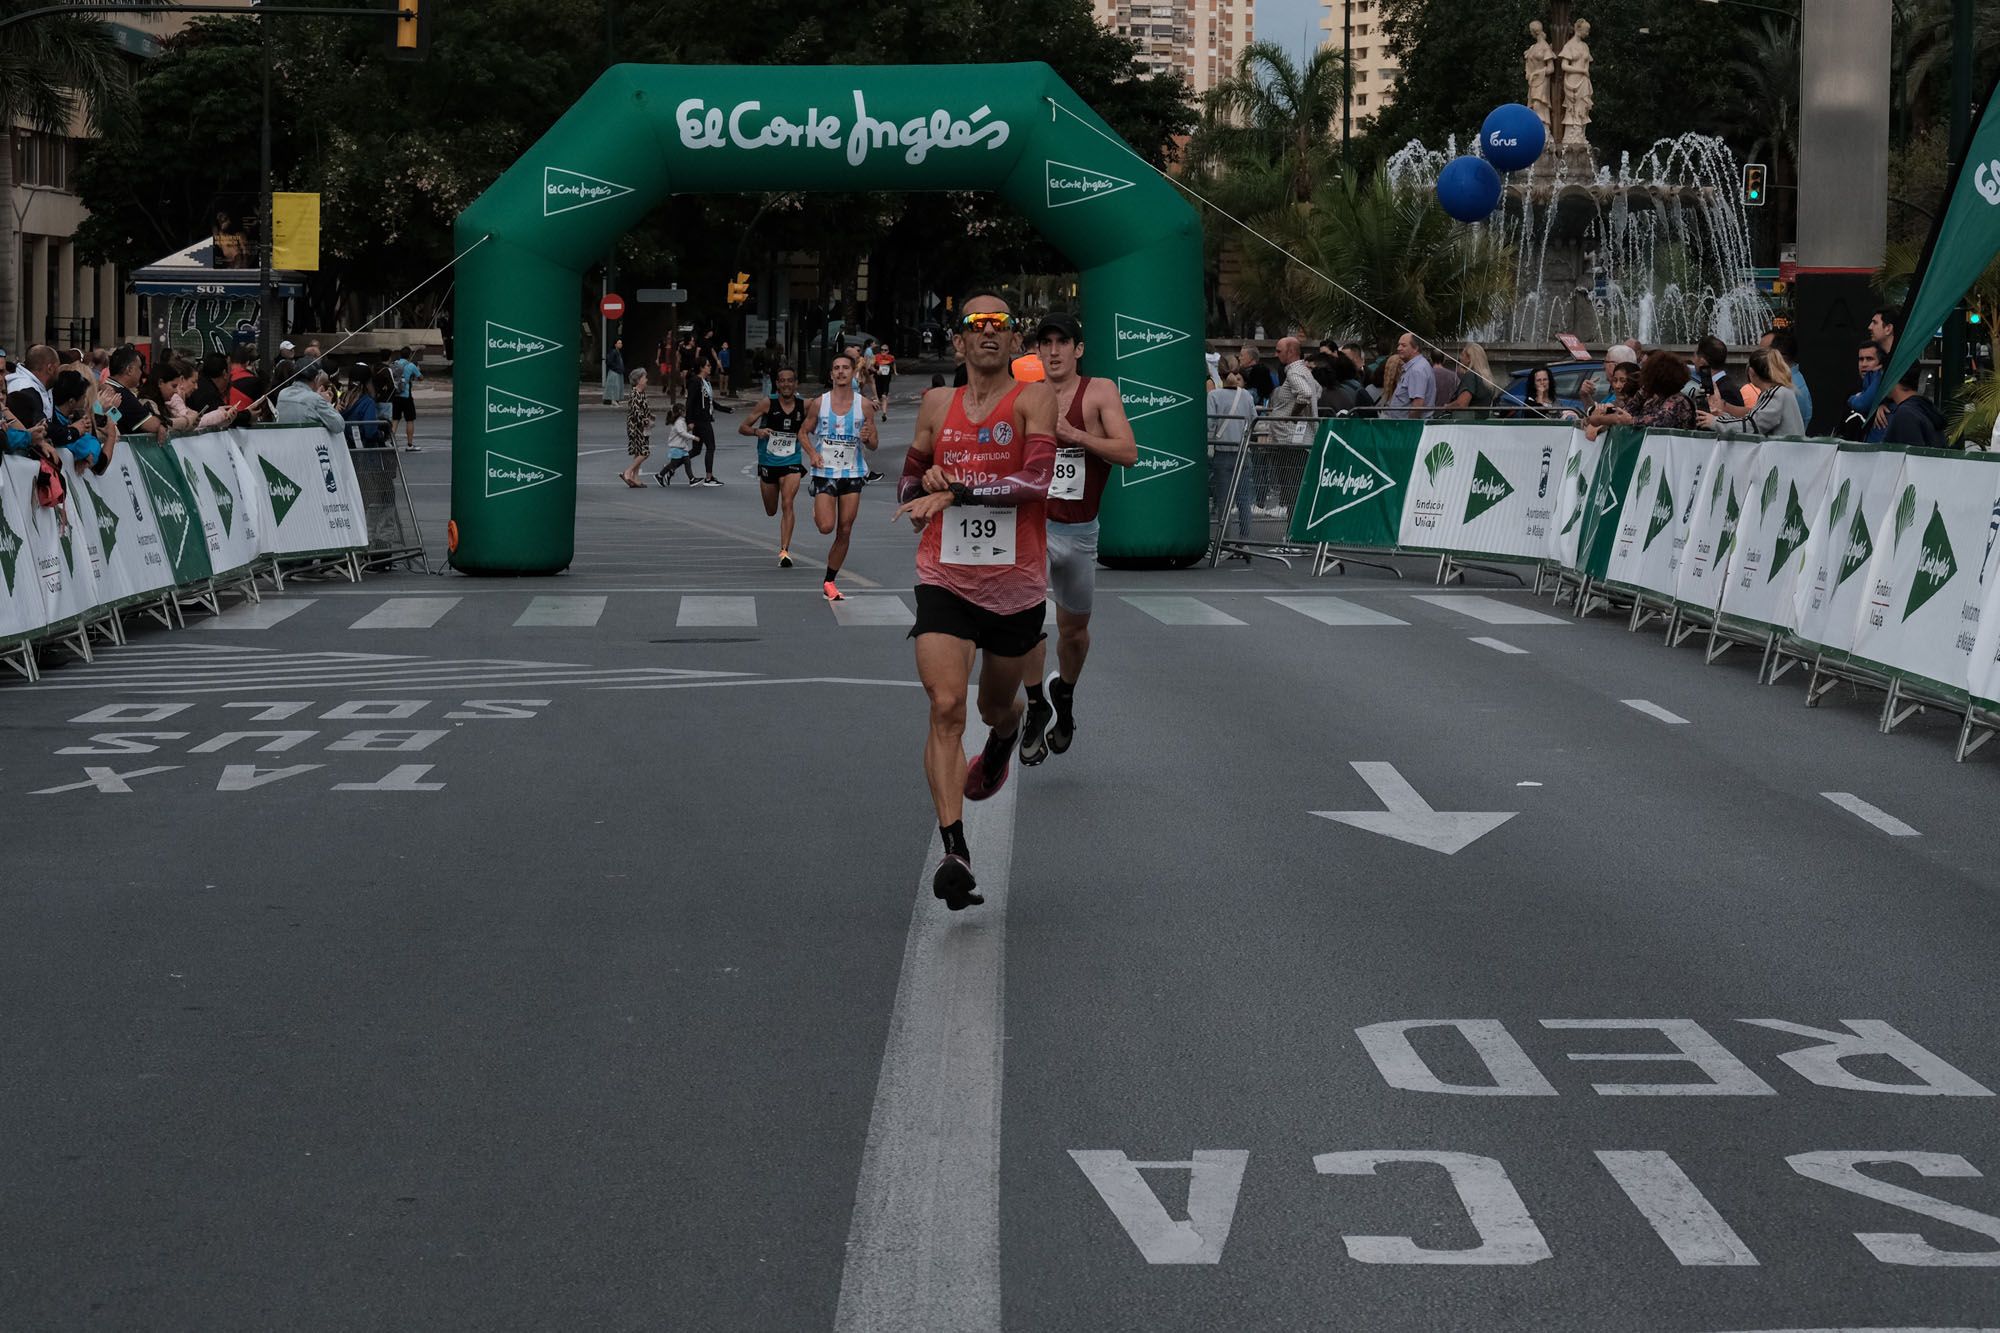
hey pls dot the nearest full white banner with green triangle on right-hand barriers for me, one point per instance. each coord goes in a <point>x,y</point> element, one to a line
<point>1923,607</point>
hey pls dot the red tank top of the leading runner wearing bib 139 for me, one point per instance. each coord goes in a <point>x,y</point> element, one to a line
<point>981,453</point>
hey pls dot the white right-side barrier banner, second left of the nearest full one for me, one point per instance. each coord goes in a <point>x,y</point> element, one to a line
<point>1775,533</point>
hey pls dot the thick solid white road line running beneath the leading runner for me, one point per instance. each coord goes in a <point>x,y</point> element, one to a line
<point>925,1240</point>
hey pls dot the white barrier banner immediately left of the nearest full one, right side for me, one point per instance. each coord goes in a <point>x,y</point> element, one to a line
<point>1841,545</point>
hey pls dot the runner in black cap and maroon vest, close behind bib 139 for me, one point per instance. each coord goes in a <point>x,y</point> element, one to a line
<point>1093,435</point>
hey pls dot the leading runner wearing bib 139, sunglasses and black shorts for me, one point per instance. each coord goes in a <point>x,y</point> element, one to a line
<point>977,483</point>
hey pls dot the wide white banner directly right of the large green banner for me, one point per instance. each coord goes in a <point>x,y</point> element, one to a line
<point>1485,491</point>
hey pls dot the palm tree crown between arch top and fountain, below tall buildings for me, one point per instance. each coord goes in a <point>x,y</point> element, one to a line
<point>1273,123</point>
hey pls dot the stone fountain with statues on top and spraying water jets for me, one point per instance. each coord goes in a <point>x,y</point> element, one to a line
<point>1657,249</point>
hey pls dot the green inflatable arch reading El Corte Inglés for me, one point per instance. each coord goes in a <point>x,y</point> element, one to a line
<point>645,133</point>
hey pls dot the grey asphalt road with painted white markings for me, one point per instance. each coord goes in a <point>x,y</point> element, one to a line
<point>555,956</point>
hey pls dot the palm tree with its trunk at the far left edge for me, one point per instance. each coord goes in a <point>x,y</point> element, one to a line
<point>49,67</point>
